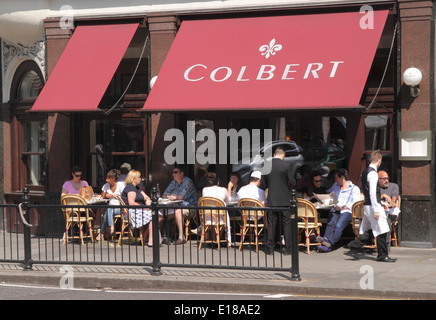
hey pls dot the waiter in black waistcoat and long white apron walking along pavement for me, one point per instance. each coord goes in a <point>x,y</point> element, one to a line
<point>374,215</point>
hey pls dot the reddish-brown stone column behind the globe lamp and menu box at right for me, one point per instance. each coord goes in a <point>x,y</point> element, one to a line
<point>417,224</point>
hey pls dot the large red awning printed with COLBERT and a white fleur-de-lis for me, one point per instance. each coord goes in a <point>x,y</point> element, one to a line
<point>268,63</point>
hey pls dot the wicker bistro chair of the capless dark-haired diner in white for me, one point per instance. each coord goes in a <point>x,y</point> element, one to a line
<point>212,219</point>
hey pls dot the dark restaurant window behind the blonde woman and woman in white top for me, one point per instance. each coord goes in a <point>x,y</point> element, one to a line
<point>114,142</point>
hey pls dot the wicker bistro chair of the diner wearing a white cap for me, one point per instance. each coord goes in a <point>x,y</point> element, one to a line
<point>253,222</point>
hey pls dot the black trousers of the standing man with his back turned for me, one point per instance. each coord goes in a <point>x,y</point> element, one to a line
<point>274,217</point>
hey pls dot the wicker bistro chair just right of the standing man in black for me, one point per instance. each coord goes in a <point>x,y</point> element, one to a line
<point>307,222</point>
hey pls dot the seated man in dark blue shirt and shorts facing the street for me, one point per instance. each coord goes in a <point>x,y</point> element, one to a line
<point>181,188</point>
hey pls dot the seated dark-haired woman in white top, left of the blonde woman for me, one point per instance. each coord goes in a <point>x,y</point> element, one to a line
<point>110,190</point>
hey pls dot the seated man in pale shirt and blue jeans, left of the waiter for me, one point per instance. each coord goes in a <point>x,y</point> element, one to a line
<point>340,216</point>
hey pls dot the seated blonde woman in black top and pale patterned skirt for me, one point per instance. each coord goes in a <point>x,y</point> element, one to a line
<point>134,196</point>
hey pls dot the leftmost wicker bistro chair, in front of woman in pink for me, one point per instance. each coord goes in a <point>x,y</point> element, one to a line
<point>77,216</point>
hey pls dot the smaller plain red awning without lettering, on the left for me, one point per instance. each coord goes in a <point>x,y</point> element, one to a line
<point>87,65</point>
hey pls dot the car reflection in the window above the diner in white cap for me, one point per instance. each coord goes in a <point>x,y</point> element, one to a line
<point>294,154</point>
